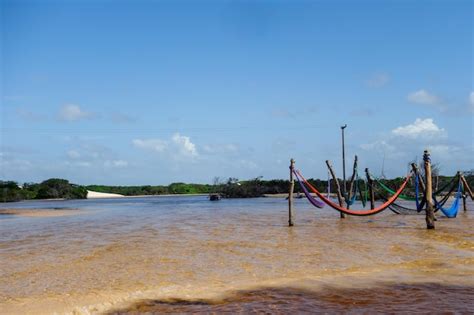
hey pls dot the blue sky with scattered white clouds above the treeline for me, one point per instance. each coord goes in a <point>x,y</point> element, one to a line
<point>155,92</point>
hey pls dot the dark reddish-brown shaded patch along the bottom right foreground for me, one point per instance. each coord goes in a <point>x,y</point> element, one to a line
<point>400,298</point>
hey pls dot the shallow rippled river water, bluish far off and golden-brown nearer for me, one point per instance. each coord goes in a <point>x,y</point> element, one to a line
<point>187,254</point>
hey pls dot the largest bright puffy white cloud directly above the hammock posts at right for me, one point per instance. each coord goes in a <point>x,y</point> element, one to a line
<point>421,128</point>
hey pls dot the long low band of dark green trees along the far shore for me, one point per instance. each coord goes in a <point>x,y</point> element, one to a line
<point>230,188</point>
